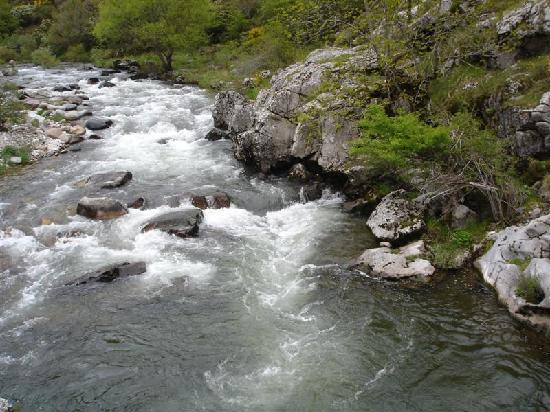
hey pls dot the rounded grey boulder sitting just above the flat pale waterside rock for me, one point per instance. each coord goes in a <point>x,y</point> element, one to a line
<point>396,218</point>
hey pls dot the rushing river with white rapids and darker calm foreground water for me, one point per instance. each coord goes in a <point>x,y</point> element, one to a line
<point>249,316</point>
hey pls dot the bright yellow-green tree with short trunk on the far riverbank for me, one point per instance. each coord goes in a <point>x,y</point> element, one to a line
<point>154,26</point>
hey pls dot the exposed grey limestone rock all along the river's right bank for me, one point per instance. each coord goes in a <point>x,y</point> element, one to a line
<point>303,124</point>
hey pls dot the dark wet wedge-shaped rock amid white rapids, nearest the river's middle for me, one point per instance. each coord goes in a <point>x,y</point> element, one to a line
<point>181,223</point>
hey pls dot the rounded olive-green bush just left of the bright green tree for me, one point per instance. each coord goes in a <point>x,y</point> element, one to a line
<point>72,27</point>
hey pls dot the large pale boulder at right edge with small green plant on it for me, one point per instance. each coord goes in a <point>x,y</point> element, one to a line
<point>503,267</point>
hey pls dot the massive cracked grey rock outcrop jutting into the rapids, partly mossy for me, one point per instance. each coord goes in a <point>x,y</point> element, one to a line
<point>297,120</point>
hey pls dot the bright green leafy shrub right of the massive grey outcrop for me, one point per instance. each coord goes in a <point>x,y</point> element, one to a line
<point>388,142</point>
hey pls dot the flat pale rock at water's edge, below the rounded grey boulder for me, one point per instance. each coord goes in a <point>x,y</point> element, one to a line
<point>400,264</point>
